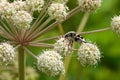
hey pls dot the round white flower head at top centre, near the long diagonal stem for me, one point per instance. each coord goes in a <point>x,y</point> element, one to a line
<point>57,11</point>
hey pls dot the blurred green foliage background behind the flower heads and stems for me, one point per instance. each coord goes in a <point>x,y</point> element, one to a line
<point>108,43</point>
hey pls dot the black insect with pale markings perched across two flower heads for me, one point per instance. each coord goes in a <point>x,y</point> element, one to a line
<point>73,37</point>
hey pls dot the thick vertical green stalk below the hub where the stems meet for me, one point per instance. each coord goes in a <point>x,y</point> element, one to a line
<point>21,59</point>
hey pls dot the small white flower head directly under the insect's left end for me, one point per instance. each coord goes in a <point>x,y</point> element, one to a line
<point>63,47</point>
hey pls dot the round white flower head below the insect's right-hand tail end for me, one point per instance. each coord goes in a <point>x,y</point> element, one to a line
<point>88,54</point>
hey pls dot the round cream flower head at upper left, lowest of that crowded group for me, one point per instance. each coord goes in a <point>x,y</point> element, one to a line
<point>22,19</point>
